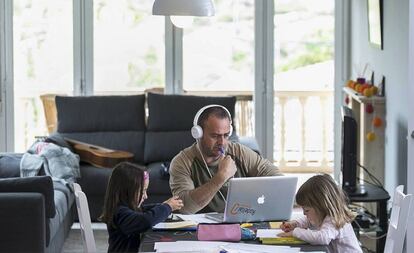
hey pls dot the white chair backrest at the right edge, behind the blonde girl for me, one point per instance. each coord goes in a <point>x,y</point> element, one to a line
<point>398,222</point>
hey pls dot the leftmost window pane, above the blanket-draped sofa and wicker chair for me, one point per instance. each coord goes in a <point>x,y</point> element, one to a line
<point>43,62</point>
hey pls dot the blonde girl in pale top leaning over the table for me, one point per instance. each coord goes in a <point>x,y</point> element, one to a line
<point>327,218</point>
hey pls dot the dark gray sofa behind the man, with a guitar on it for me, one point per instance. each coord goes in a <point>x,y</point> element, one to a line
<point>121,123</point>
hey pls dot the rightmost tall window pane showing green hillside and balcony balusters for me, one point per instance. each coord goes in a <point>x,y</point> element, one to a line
<point>303,85</point>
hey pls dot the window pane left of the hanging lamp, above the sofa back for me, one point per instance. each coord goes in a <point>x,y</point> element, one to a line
<point>129,52</point>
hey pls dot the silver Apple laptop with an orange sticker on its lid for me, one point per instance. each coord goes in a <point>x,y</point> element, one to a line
<point>255,199</point>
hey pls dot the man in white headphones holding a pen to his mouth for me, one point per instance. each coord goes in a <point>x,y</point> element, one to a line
<point>199,174</point>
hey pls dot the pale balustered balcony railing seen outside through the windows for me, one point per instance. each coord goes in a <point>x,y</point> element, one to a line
<point>303,126</point>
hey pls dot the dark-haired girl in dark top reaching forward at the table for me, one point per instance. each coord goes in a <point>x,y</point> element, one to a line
<point>123,214</point>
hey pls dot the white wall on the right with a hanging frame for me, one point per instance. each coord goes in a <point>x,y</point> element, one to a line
<point>392,62</point>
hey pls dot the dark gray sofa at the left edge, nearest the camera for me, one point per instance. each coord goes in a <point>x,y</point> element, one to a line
<point>36,214</point>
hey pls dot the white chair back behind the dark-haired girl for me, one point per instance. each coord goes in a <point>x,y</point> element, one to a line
<point>89,245</point>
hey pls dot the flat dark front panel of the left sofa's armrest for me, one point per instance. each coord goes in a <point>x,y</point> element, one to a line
<point>22,222</point>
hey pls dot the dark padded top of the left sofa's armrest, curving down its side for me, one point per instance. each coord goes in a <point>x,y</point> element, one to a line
<point>42,184</point>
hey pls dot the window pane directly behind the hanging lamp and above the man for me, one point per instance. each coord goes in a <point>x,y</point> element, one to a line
<point>218,57</point>
